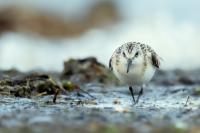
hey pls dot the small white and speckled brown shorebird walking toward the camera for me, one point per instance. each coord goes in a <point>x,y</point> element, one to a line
<point>134,64</point>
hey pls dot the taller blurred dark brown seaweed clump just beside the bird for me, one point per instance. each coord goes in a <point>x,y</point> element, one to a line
<point>88,70</point>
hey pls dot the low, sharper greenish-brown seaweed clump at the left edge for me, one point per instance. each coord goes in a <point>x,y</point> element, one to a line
<point>31,85</point>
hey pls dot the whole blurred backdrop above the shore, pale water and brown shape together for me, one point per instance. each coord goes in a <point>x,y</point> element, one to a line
<point>43,34</point>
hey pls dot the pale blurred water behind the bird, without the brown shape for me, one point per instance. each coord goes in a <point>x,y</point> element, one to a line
<point>170,27</point>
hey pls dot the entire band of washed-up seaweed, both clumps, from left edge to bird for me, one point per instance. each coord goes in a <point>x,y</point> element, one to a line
<point>75,74</point>
